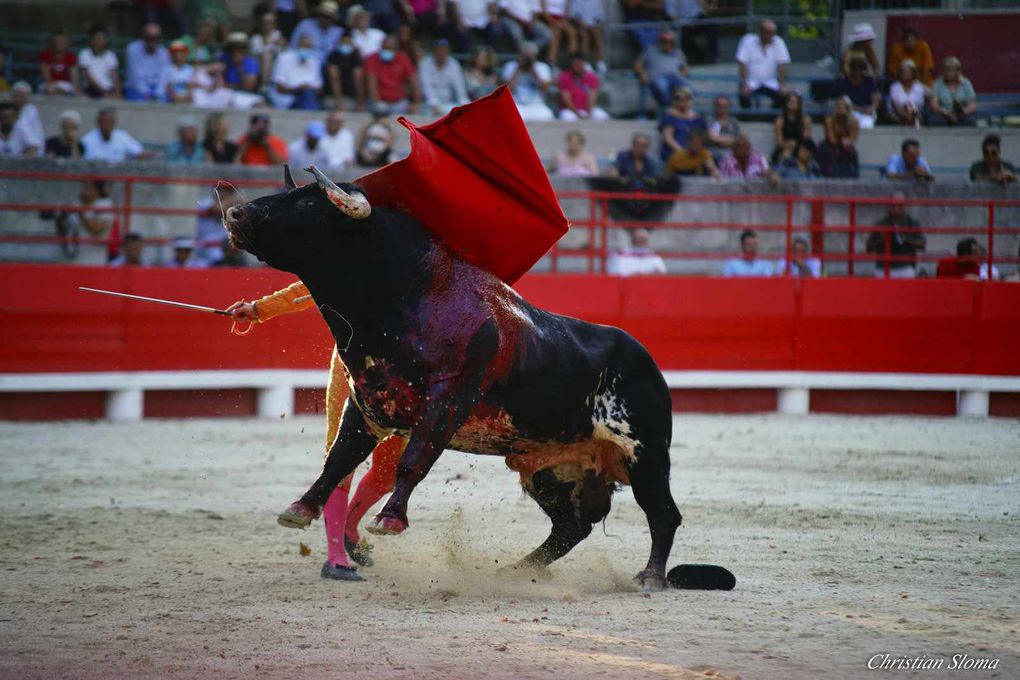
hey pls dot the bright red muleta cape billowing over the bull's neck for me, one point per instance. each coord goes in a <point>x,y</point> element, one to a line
<point>475,180</point>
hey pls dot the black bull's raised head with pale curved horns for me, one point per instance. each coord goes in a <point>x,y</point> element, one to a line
<point>288,231</point>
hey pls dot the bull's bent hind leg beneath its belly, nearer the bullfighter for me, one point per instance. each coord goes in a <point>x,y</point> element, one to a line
<point>575,502</point>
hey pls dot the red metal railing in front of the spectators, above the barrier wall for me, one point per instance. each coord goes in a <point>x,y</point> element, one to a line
<point>598,222</point>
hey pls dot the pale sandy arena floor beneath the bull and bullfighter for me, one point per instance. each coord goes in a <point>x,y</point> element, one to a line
<point>152,551</point>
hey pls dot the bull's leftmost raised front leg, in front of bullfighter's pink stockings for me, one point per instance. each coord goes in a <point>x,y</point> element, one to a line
<point>352,446</point>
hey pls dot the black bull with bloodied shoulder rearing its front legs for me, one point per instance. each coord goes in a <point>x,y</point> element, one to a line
<point>445,354</point>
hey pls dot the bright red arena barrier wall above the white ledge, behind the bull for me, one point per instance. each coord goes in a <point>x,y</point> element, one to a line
<point>838,325</point>
